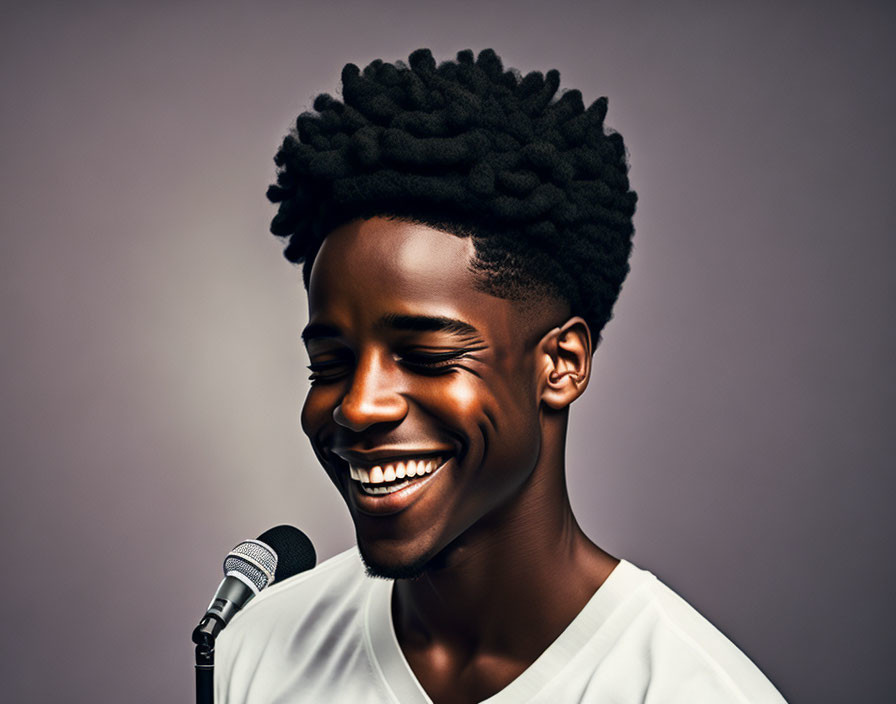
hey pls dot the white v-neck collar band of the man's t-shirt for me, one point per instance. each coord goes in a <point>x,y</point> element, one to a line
<point>392,666</point>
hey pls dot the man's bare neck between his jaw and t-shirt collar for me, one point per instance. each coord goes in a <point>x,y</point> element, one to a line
<point>512,583</point>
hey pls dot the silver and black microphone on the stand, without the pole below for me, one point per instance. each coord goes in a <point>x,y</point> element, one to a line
<point>251,566</point>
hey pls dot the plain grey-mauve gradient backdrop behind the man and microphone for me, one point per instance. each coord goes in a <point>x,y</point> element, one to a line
<point>736,438</point>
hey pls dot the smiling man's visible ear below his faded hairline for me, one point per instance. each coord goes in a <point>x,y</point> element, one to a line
<point>565,363</point>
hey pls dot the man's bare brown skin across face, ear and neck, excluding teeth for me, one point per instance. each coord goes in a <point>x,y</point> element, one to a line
<point>411,358</point>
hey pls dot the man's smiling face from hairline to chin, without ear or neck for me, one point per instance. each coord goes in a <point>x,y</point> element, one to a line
<point>414,370</point>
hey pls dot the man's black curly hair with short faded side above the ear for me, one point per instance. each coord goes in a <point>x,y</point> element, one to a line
<point>477,151</point>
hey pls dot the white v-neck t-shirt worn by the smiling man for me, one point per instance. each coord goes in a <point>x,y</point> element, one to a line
<point>326,637</point>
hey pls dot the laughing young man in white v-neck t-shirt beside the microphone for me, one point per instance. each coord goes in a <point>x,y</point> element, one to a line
<point>464,237</point>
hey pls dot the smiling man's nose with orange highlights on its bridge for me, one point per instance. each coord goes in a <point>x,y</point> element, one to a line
<point>372,397</point>
